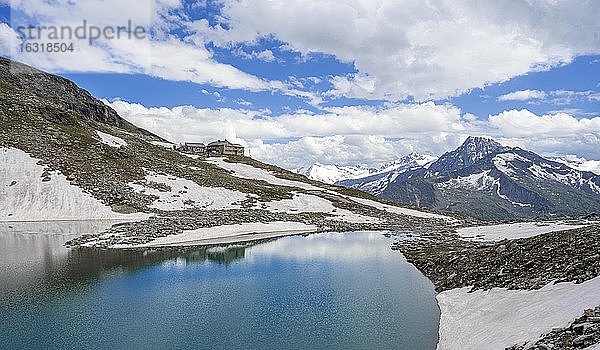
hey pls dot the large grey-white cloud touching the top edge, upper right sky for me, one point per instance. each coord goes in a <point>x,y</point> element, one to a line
<point>430,49</point>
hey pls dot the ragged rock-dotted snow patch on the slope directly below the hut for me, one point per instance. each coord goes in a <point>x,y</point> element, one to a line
<point>186,194</point>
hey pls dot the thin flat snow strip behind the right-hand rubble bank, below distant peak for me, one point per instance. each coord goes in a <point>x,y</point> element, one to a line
<point>514,231</point>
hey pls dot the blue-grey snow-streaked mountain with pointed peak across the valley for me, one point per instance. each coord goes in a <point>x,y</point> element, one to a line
<point>486,180</point>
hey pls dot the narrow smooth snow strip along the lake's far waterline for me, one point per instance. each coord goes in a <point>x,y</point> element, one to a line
<point>229,234</point>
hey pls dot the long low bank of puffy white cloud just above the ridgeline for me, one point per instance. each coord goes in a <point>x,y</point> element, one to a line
<point>364,134</point>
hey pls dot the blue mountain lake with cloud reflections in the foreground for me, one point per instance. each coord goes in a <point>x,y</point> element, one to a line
<point>325,291</point>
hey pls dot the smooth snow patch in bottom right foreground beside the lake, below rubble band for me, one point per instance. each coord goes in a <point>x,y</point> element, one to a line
<point>499,318</point>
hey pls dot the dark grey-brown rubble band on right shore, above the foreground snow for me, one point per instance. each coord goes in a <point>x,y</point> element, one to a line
<point>527,263</point>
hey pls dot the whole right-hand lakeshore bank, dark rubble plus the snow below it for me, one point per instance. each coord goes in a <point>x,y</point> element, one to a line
<point>522,293</point>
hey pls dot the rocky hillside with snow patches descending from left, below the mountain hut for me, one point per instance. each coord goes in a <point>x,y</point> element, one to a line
<point>63,143</point>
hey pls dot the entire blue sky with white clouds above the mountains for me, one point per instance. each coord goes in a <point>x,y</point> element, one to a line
<point>345,81</point>
